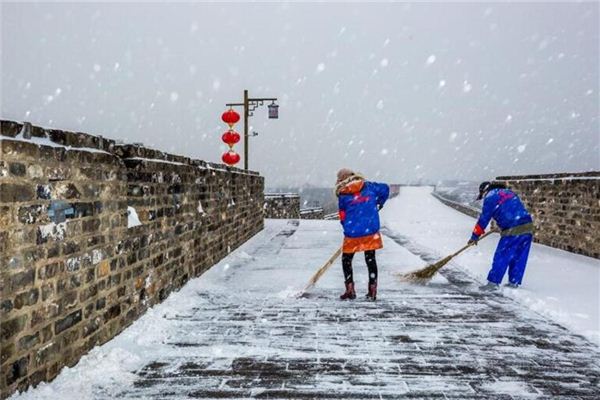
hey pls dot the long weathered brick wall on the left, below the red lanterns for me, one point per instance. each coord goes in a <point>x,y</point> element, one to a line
<point>69,286</point>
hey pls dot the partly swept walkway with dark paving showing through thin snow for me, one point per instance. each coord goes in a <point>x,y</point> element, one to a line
<point>239,332</point>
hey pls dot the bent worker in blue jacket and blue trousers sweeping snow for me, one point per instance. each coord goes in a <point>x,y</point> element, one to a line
<point>516,225</point>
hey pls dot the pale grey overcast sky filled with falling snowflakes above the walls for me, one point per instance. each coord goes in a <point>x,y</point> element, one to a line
<point>400,92</point>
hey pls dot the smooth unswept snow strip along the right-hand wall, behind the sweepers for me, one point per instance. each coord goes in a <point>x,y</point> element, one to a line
<point>558,284</point>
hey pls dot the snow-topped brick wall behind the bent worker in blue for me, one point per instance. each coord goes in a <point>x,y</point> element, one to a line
<point>565,208</point>
